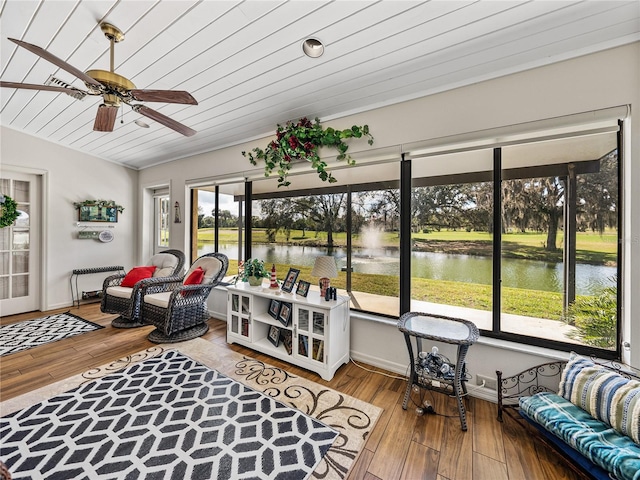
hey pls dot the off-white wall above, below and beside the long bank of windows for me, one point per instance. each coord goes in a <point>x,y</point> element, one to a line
<point>599,81</point>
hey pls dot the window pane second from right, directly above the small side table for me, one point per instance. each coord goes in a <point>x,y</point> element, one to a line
<point>452,236</point>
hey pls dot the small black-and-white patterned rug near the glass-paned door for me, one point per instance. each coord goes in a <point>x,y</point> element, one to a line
<point>19,336</point>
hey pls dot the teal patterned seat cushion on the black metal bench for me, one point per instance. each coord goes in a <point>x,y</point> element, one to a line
<point>595,440</point>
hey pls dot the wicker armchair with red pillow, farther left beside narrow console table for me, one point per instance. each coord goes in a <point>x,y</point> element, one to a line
<point>125,301</point>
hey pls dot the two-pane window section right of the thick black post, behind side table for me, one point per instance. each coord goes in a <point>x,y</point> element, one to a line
<point>522,240</point>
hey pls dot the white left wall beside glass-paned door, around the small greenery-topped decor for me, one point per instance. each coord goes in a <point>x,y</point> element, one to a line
<point>72,176</point>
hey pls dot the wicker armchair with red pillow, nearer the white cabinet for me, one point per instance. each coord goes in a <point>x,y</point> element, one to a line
<point>180,313</point>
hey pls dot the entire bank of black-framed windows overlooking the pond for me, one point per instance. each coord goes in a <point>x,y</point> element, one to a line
<point>521,238</point>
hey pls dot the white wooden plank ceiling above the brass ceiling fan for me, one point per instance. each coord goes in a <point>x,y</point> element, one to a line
<point>243,61</point>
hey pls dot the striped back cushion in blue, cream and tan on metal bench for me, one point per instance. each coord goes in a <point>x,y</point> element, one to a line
<point>606,395</point>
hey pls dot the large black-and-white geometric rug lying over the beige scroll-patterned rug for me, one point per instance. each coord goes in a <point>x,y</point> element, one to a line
<point>167,417</point>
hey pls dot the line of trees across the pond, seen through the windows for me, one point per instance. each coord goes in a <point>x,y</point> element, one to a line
<point>528,204</point>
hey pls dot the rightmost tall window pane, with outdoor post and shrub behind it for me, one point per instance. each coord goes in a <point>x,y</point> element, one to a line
<point>559,240</point>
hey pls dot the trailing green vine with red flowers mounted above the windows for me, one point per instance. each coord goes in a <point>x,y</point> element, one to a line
<point>301,141</point>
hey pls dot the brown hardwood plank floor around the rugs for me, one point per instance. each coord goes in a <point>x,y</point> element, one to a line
<point>401,446</point>
